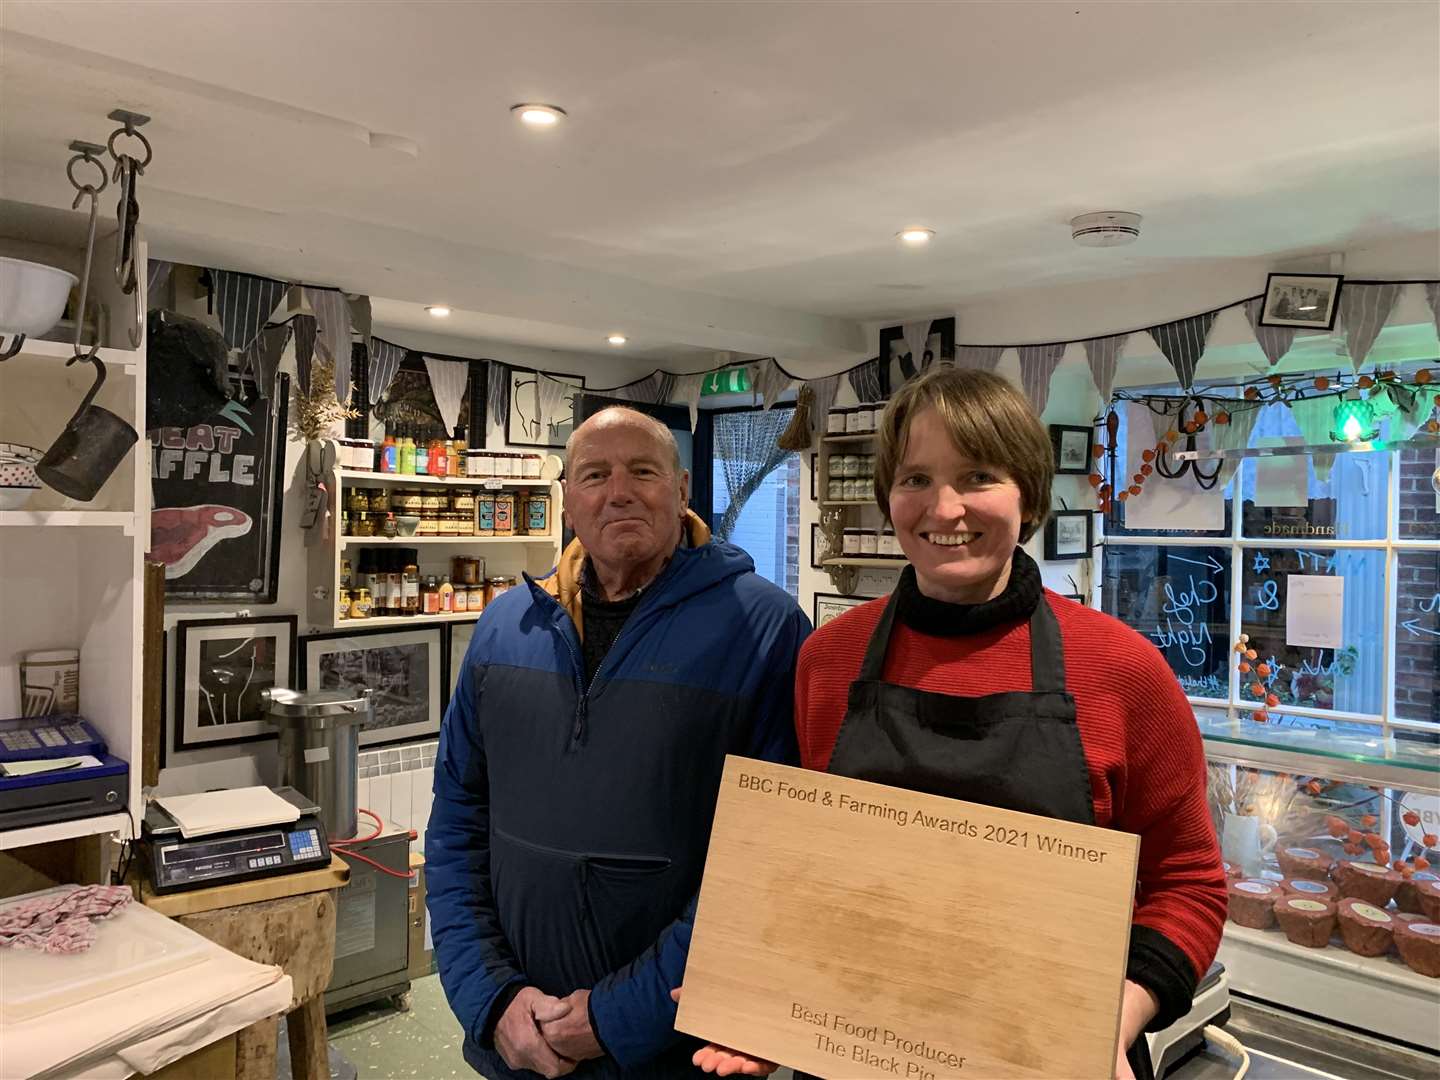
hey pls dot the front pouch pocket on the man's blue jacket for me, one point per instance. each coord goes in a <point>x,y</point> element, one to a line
<point>629,901</point>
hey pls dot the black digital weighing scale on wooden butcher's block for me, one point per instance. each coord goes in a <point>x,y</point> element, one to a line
<point>175,863</point>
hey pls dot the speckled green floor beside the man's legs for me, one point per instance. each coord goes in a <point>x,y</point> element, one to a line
<point>424,1043</point>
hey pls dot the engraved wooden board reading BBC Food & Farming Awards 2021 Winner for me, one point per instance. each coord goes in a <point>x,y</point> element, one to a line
<point>853,931</point>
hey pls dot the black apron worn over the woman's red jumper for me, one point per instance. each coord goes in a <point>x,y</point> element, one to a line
<point>1019,751</point>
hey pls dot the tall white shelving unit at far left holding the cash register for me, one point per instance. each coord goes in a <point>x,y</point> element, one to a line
<point>74,570</point>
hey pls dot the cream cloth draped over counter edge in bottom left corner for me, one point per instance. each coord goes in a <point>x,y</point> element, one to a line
<point>66,1042</point>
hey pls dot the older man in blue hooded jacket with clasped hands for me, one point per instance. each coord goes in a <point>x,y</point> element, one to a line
<point>580,765</point>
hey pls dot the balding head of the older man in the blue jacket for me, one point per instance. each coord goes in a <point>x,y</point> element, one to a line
<point>623,498</point>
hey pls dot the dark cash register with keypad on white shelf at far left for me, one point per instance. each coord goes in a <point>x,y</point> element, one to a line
<point>57,768</point>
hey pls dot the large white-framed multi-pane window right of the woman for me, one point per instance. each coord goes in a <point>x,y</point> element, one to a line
<point>1372,521</point>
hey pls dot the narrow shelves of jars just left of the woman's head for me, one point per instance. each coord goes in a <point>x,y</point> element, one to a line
<point>847,462</point>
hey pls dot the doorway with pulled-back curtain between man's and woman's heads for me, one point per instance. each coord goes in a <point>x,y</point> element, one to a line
<point>768,482</point>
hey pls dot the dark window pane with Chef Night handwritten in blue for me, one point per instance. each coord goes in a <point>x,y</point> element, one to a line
<point>1180,600</point>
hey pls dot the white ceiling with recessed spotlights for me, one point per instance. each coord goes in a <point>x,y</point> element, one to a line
<point>732,174</point>
